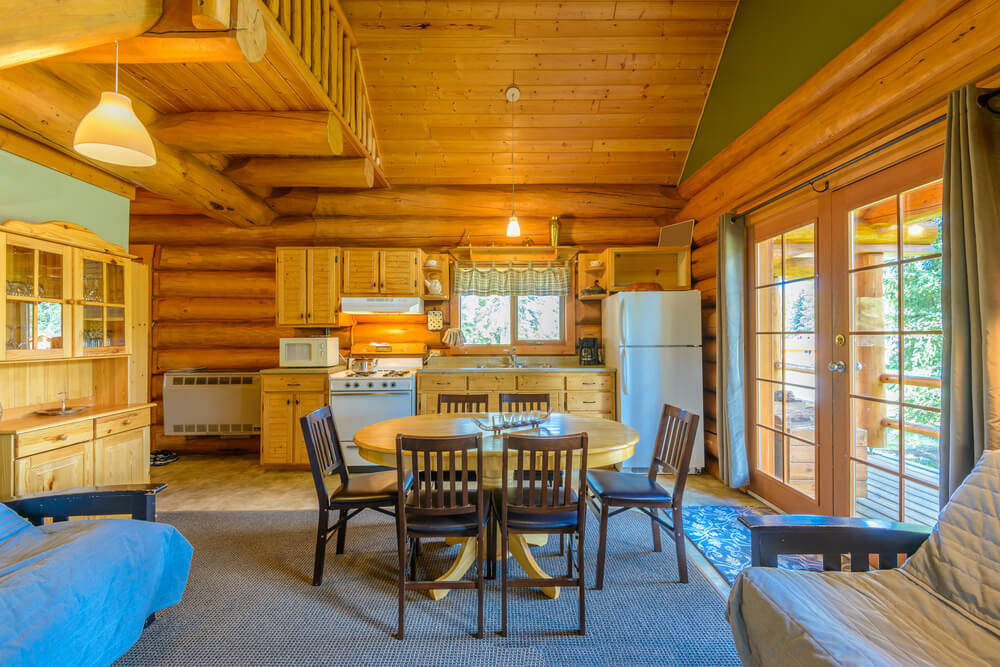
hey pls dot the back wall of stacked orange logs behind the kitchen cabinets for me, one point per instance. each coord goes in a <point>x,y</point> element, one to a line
<point>213,293</point>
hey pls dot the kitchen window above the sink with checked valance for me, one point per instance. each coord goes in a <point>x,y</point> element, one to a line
<point>513,305</point>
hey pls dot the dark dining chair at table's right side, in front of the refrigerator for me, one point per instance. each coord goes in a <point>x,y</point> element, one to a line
<point>671,454</point>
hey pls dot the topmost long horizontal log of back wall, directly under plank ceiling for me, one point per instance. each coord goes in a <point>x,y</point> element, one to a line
<point>584,201</point>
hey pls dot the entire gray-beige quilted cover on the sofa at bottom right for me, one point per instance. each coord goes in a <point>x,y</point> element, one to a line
<point>941,608</point>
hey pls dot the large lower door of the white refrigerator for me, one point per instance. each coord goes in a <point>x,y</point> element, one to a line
<point>650,377</point>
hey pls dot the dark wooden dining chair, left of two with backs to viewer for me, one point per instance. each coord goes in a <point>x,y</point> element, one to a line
<point>441,504</point>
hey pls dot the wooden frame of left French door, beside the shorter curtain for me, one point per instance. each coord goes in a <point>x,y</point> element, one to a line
<point>767,225</point>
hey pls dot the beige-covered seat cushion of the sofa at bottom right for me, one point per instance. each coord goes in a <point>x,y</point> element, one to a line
<point>789,617</point>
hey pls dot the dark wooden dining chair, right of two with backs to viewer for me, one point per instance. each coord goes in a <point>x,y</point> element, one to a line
<point>537,502</point>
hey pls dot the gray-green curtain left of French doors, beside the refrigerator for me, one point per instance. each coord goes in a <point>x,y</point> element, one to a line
<point>730,343</point>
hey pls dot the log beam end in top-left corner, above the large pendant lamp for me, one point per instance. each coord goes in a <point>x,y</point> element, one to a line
<point>35,29</point>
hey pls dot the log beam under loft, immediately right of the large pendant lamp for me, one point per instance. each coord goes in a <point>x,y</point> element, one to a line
<point>306,133</point>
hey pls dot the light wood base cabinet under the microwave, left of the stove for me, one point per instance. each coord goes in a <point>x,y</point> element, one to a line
<point>286,398</point>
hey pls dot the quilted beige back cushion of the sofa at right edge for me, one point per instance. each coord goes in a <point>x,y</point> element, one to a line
<point>960,561</point>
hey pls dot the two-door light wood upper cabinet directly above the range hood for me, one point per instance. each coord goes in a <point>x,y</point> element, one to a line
<point>369,272</point>
